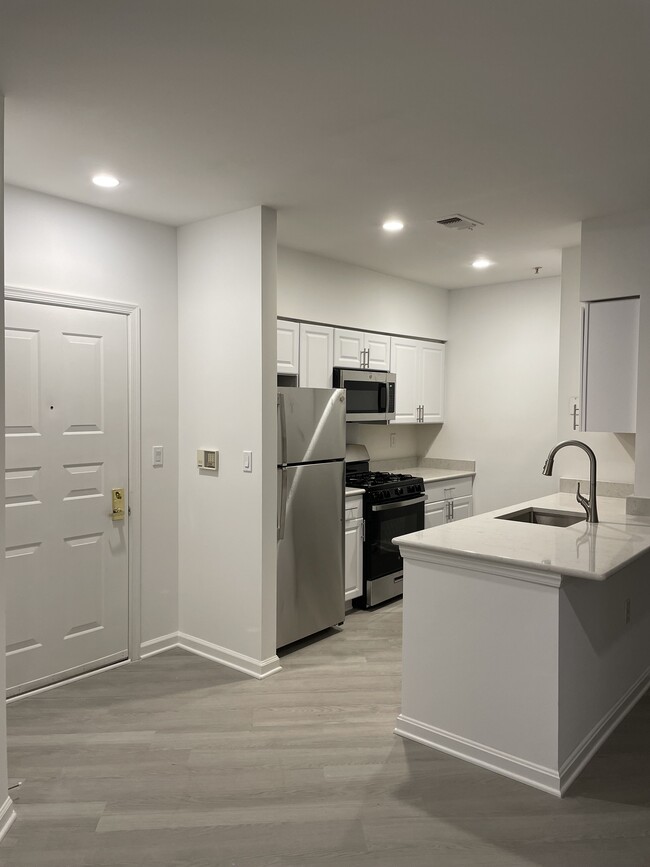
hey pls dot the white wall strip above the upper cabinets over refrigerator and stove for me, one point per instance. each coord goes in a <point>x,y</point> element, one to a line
<point>323,290</point>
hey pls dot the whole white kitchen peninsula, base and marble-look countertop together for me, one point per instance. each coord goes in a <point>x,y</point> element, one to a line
<point>524,644</point>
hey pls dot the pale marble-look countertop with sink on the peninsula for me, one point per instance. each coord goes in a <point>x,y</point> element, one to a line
<point>594,551</point>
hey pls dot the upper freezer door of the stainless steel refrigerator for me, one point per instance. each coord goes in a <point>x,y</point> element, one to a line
<point>311,424</point>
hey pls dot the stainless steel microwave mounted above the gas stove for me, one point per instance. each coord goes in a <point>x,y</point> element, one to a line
<point>369,394</point>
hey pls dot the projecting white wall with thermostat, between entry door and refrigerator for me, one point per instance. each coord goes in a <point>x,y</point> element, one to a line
<point>227,353</point>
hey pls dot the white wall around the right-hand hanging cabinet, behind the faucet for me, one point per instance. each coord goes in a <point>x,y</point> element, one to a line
<point>614,452</point>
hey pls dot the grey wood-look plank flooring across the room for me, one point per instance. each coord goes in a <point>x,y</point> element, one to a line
<point>178,762</point>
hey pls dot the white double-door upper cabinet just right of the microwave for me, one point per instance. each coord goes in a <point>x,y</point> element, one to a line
<point>419,366</point>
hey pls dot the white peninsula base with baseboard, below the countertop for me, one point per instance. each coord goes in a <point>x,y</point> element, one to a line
<point>519,670</point>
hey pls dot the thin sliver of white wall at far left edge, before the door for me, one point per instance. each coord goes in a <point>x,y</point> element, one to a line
<point>3,590</point>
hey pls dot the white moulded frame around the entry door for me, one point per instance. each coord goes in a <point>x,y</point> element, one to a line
<point>132,313</point>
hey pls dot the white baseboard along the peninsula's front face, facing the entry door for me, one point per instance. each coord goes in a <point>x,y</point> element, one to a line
<point>546,779</point>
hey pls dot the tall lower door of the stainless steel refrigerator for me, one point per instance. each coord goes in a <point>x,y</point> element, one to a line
<point>311,592</point>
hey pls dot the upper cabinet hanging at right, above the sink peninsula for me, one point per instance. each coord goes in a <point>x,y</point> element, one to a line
<point>610,361</point>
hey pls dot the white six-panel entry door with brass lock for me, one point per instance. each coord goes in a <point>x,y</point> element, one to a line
<point>66,449</point>
